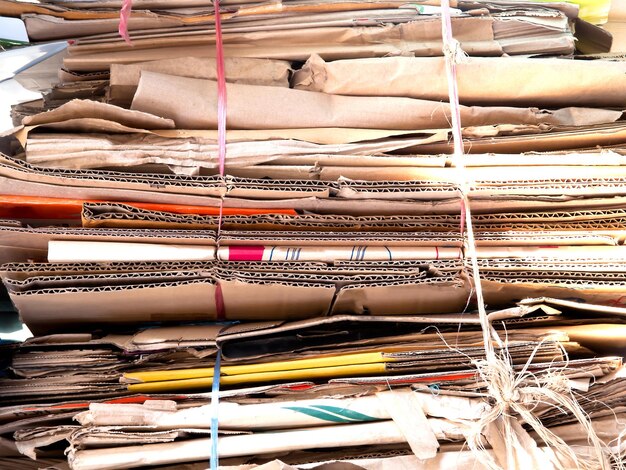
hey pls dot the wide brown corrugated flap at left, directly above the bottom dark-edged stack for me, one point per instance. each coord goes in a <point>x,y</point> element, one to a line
<point>47,310</point>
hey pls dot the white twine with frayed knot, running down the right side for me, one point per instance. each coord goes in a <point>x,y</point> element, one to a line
<point>516,395</point>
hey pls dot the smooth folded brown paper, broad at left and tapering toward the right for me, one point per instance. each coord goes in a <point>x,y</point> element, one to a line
<point>256,107</point>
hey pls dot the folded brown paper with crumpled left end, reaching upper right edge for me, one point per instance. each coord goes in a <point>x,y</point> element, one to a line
<point>481,80</point>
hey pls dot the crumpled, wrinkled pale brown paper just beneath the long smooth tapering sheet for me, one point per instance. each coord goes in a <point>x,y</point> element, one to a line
<point>186,154</point>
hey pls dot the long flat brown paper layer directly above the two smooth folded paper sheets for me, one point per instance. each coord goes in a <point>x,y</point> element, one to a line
<point>422,38</point>
